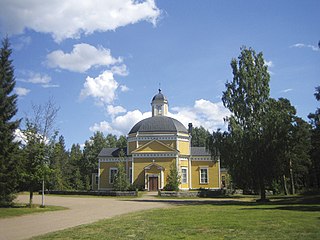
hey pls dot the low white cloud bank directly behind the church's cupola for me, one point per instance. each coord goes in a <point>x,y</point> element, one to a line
<point>203,113</point>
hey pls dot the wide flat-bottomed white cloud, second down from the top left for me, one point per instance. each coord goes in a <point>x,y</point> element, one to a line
<point>83,57</point>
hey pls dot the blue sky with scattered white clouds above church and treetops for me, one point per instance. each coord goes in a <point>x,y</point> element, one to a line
<point>102,61</point>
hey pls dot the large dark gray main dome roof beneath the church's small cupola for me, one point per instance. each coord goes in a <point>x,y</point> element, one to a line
<point>159,124</point>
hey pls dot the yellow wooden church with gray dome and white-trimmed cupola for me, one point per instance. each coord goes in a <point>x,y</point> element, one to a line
<point>154,144</point>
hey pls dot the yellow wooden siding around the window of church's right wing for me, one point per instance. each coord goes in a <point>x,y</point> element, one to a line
<point>213,174</point>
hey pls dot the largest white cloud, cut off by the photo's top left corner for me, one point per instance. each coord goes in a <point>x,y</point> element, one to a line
<point>70,19</point>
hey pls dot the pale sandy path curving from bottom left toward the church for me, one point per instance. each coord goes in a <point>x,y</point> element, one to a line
<point>81,211</point>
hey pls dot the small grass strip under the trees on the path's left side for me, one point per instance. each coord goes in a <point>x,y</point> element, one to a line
<point>21,209</point>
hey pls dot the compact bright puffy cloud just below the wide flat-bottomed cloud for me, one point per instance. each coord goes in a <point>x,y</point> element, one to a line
<point>102,88</point>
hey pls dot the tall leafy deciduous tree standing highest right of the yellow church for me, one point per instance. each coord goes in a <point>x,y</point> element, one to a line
<point>246,96</point>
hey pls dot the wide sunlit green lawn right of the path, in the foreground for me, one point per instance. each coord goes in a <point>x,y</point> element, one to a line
<point>290,218</point>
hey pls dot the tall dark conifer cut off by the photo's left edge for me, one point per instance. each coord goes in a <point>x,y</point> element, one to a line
<point>8,108</point>
